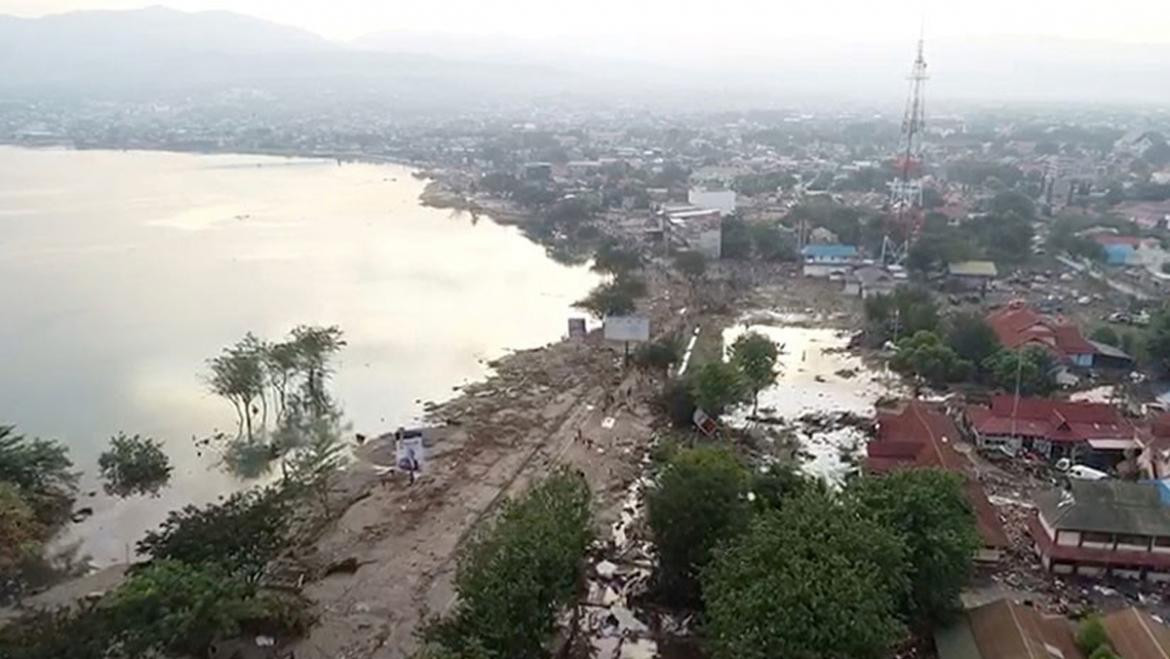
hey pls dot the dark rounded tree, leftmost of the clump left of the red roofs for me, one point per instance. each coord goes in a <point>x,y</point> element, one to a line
<point>699,503</point>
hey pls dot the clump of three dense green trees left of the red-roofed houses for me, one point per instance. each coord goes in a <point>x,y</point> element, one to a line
<point>782,567</point>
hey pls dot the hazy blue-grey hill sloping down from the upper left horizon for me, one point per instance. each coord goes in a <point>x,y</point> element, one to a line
<point>160,53</point>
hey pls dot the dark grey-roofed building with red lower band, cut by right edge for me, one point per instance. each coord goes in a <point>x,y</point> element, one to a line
<point>1104,528</point>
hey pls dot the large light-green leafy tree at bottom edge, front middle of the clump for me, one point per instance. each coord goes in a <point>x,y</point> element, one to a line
<point>809,581</point>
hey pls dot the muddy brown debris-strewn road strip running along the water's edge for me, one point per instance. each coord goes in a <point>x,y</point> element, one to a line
<point>501,435</point>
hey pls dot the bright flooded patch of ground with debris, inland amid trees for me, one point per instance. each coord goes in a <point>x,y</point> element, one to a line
<point>824,393</point>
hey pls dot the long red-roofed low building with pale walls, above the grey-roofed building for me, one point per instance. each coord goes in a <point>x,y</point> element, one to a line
<point>1085,433</point>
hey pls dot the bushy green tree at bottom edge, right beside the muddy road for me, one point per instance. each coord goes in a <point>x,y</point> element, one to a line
<point>515,575</point>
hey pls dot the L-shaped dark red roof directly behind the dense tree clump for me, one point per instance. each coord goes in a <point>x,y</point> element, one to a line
<point>924,437</point>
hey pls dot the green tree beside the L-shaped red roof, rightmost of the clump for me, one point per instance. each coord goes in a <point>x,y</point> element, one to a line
<point>930,512</point>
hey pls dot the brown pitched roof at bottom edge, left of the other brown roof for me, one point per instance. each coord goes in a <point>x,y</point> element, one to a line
<point>1007,630</point>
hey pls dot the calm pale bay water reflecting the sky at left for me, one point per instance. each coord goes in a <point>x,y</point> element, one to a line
<point>122,272</point>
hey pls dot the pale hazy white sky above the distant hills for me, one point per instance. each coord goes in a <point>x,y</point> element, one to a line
<point>729,22</point>
